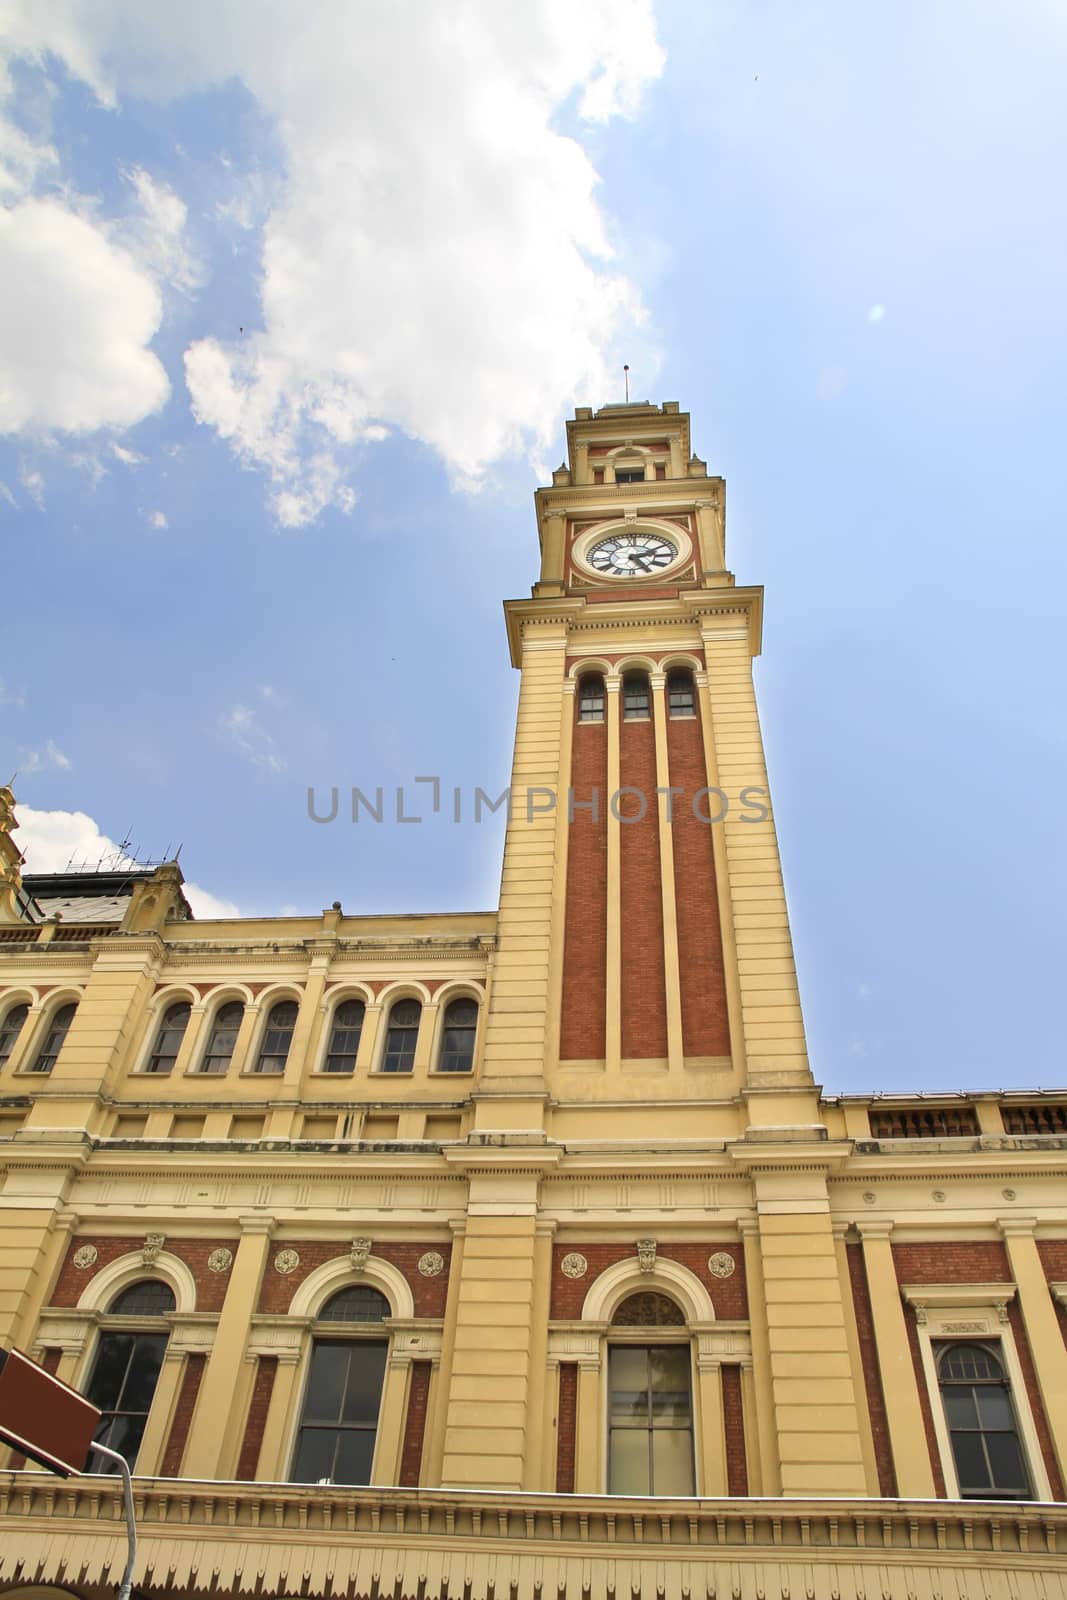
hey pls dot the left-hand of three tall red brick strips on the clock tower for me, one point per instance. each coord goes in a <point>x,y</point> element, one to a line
<point>586,937</point>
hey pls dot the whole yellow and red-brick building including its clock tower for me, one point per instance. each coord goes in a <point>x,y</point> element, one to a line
<point>537,1201</point>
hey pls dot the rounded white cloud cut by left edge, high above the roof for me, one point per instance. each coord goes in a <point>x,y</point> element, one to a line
<point>76,318</point>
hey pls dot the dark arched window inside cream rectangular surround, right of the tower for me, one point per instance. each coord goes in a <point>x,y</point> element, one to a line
<point>981,1423</point>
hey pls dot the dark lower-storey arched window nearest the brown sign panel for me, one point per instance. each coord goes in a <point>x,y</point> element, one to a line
<point>127,1369</point>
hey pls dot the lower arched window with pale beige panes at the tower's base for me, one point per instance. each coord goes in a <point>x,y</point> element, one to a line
<point>650,1404</point>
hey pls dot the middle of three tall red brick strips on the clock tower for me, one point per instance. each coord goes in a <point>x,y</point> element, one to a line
<point>644,998</point>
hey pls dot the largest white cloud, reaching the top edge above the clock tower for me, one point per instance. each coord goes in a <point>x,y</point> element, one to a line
<point>438,258</point>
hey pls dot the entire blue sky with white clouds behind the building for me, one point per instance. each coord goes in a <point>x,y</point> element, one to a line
<point>292,324</point>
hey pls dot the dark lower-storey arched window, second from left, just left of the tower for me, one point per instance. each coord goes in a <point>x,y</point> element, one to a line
<point>345,1394</point>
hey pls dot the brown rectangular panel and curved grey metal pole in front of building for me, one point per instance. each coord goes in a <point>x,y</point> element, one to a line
<point>54,1425</point>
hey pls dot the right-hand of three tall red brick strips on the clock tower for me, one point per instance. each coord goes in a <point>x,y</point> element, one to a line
<point>705,1022</point>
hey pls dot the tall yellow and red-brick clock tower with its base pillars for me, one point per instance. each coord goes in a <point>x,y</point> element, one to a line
<point>644,1010</point>
